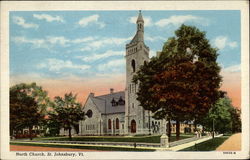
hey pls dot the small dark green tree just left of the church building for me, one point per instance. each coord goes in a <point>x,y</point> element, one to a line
<point>67,112</point>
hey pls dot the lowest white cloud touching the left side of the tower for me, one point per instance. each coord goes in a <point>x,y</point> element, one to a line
<point>113,65</point>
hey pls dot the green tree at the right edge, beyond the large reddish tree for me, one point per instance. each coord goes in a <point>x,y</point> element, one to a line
<point>225,117</point>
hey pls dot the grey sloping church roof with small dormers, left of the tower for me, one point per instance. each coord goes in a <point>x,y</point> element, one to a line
<point>103,103</point>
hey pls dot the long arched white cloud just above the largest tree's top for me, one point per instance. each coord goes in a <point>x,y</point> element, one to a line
<point>178,20</point>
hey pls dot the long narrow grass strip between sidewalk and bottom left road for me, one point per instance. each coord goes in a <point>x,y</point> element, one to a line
<point>102,148</point>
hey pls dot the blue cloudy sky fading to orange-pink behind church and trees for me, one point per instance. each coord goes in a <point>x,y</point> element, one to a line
<point>83,51</point>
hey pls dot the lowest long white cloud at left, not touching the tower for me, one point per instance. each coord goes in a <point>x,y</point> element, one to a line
<point>57,65</point>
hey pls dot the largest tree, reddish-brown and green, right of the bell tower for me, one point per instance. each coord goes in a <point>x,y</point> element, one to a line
<point>183,82</point>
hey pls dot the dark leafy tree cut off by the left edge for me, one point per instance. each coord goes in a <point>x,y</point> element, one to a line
<point>24,110</point>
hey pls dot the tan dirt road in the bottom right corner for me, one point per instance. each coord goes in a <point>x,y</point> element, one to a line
<point>233,143</point>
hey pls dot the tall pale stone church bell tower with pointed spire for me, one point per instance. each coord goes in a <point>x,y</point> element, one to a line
<point>137,53</point>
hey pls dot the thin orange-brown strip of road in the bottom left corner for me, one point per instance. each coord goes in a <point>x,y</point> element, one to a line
<point>36,148</point>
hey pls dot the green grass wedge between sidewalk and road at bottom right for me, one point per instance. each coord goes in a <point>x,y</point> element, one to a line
<point>209,145</point>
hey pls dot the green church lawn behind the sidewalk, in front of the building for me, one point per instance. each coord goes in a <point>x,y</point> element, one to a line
<point>146,139</point>
